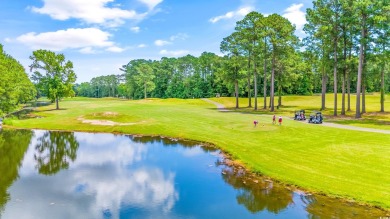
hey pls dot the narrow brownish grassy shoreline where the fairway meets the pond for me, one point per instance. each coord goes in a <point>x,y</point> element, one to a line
<point>228,160</point>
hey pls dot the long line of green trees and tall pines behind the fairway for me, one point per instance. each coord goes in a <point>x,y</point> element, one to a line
<point>346,50</point>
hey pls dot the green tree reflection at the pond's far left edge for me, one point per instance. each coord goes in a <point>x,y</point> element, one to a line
<point>13,146</point>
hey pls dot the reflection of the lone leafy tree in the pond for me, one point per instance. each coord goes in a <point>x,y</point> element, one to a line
<point>54,151</point>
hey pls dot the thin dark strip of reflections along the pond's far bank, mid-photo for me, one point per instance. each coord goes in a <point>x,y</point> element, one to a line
<point>169,142</point>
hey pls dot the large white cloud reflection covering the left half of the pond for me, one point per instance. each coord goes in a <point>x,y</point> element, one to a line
<point>101,180</point>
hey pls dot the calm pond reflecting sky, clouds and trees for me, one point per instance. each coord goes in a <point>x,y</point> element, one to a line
<point>81,175</point>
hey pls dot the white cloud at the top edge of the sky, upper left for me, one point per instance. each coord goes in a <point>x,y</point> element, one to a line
<point>89,11</point>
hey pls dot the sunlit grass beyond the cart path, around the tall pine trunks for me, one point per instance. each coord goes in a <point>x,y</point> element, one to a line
<point>372,119</point>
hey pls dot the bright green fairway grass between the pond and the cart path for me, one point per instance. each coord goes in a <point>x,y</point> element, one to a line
<point>337,162</point>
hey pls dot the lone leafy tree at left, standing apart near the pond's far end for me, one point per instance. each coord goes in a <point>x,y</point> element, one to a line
<point>53,73</point>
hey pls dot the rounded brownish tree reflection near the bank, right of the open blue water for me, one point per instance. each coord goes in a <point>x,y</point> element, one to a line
<point>256,193</point>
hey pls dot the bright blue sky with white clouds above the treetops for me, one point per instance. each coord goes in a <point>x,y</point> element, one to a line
<point>99,36</point>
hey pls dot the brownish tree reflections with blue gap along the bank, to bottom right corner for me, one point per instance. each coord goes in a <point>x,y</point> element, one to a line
<point>260,194</point>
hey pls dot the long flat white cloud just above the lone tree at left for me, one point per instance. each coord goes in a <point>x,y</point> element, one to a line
<point>67,39</point>
